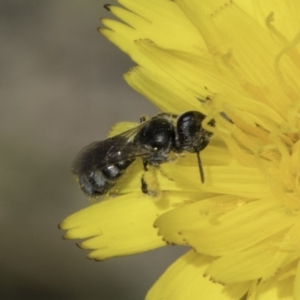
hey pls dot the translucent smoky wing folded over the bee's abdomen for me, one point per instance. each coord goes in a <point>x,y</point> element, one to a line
<point>99,155</point>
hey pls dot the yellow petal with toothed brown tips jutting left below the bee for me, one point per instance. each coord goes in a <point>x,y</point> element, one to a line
<point>119,226</point>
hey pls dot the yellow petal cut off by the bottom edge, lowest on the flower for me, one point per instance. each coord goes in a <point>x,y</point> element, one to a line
<point>184,280</point>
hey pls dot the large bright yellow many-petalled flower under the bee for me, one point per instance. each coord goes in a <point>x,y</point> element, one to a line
<point>238,62</point>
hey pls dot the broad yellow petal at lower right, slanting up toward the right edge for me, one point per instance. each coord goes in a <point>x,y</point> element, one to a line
<point>240,228</point>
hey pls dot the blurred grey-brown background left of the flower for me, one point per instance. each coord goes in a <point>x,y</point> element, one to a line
<point>61,88</point>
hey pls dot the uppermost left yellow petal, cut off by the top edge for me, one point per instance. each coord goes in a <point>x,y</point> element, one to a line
<point>163,22</point>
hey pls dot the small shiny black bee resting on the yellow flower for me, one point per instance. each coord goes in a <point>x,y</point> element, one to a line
<point>99,166</point>
